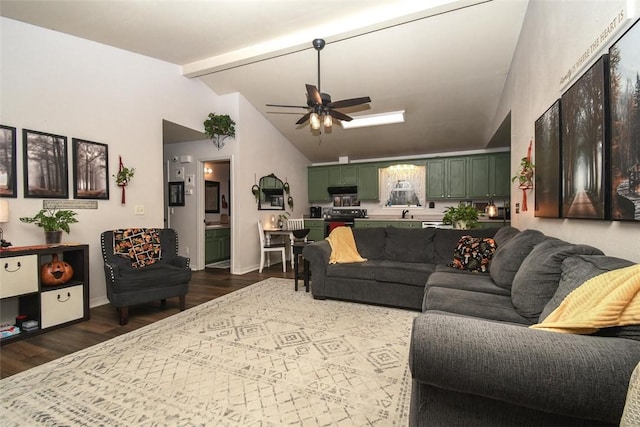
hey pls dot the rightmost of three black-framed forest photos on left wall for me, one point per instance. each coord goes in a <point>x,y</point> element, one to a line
<point>90,170</point>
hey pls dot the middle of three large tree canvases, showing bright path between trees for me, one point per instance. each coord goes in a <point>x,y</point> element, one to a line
<point>584,144</point>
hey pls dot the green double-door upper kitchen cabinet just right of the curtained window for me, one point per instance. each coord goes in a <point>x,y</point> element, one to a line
<point>447,178</point>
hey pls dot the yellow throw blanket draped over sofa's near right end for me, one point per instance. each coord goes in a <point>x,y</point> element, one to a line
<point>609,299</point>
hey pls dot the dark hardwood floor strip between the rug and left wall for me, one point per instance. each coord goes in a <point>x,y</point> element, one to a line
<point>205,285</point>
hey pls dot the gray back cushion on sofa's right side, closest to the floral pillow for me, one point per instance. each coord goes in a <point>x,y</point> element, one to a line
<point>508,257</point>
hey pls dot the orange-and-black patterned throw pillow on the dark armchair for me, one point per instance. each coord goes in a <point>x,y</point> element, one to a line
<point>140,245</point>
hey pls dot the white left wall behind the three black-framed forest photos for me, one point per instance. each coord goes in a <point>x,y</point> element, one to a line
<point>60,84</point>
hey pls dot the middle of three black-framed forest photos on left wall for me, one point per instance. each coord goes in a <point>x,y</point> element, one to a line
<point>46,167</point>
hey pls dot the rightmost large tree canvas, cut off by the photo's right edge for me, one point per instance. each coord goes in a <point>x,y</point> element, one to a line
<point>625,126</point>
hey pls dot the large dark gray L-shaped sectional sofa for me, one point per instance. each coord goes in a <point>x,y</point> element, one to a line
<point>473,359</point>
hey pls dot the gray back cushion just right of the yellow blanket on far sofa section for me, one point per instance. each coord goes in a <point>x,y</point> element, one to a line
<point>409,244</point>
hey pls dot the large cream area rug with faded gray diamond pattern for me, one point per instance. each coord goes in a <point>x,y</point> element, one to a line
<point>261,356</point>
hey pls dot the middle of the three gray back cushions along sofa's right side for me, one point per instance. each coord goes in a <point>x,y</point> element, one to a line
<point>539,275</point>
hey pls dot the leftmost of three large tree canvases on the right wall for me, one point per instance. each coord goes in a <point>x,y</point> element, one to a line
<point>548,187</point>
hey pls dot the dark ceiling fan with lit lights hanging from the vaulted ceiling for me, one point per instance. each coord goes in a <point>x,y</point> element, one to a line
<point>319,105</point>
